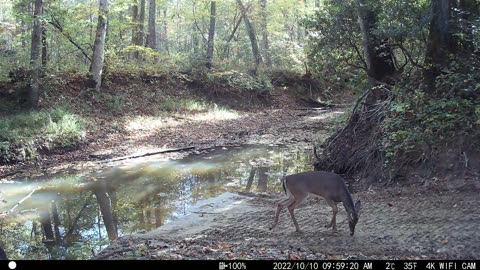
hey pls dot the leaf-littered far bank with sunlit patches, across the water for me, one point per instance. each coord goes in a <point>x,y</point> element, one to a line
<point>139,125</point>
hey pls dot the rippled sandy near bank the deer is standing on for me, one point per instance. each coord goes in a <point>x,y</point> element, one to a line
<point>415,222</point>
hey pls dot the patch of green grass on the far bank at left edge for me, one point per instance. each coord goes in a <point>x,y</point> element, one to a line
<point>21,135</point>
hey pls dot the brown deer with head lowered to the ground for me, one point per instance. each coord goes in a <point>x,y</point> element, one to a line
<point>324,184</point>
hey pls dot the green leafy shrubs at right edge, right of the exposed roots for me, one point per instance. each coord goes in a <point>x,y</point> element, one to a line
<point>418,122</point>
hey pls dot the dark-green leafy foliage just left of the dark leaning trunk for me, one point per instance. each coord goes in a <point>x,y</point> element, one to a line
<point>334,49</point>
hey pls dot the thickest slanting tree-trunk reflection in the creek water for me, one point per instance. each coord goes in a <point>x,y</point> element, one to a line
<point>106,209</point>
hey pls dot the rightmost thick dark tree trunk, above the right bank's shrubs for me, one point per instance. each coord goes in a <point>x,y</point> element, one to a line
<point>441,42</point>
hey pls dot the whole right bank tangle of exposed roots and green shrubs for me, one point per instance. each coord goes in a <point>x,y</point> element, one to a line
<point>412,131</point>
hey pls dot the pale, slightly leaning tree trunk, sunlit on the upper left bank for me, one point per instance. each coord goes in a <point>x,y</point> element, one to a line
<point>99,47</point>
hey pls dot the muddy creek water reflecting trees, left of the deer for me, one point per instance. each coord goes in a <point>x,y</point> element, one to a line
<point>74,217</point>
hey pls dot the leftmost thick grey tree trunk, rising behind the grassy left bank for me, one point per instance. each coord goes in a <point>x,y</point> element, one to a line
<point>35,56</point>
